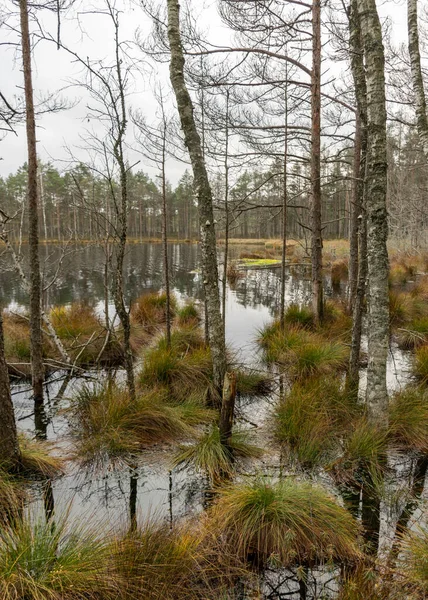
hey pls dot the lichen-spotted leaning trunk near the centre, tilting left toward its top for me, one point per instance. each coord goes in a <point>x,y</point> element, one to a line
<point>205,204</point>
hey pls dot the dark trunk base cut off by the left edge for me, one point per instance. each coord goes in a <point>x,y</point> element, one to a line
<point>9,449</point>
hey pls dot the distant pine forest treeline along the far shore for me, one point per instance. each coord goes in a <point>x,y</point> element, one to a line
<point>78,203</point>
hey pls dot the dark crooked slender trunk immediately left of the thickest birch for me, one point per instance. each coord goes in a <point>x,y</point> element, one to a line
<point>358,258</point>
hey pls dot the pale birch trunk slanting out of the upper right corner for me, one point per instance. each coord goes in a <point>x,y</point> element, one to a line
<point>416,69</point>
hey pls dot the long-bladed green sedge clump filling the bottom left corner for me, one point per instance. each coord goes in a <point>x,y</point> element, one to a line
<point>38,561</point>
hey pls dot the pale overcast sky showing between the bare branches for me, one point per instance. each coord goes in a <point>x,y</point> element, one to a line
<point>53,70</point>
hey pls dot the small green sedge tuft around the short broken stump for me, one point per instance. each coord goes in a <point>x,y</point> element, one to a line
<point>208,455</point>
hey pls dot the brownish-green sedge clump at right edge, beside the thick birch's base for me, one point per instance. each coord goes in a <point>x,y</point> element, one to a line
<point>408,419</point>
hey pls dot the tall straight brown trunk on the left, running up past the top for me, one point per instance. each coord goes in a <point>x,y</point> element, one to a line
<point>37,368</point>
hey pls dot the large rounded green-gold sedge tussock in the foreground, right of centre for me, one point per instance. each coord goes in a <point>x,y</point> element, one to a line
<point>287,521</point>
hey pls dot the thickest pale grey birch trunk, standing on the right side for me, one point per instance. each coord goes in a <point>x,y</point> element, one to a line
<point>377,220</point>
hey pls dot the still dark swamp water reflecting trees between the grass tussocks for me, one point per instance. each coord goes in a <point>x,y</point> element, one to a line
<point>153,490</point>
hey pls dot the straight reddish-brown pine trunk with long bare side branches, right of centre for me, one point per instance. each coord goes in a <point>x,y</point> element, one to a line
<point>316,225</point>
